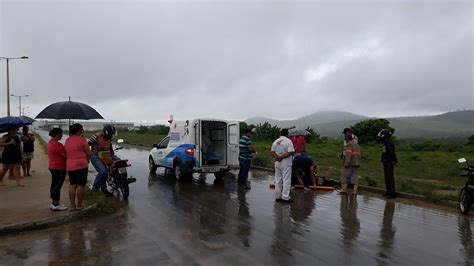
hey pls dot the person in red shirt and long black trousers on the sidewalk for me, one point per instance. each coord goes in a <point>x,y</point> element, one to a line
<point>57,167</point>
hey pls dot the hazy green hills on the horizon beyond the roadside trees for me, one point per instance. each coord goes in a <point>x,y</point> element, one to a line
<point>458,124</point>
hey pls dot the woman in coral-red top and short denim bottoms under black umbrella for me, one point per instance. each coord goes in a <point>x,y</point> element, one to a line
<point>77,163</point>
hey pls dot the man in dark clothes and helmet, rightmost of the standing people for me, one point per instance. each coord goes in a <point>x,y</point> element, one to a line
<point>389,160</point>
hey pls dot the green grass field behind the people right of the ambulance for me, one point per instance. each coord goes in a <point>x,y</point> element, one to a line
<point>434,174</point>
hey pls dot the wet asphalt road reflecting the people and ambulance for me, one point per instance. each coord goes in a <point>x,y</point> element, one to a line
<point>188,223</point>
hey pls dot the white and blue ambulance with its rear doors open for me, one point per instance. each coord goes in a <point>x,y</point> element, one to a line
<point>197,146</point>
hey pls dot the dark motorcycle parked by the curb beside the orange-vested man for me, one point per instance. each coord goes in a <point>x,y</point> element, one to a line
<point>117,177</point>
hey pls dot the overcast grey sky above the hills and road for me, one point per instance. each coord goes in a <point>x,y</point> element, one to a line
<point>142,61</point>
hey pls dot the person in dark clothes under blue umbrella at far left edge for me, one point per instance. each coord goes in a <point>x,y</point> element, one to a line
<point>11,155</point>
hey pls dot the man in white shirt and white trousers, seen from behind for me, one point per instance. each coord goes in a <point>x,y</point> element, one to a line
<point>282,151</point>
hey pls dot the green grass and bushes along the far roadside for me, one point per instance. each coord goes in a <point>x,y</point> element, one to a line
<point>426,167</point>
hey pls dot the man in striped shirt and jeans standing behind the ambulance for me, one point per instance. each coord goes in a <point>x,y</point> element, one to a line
<point>245,157</point>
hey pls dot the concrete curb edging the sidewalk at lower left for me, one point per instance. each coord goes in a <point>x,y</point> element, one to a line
<point>45,223</point>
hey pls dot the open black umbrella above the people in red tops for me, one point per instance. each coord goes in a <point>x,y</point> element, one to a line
<point>69,110</point>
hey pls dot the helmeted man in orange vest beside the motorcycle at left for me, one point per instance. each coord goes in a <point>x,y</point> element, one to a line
<point>102,153</point>
